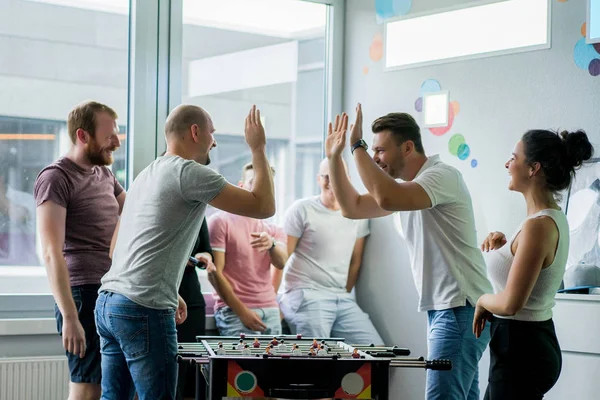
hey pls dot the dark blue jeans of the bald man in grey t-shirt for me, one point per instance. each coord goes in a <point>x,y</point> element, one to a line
<point>138,347</point>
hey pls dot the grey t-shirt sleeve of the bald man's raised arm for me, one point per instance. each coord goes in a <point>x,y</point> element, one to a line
<point>200,183</point>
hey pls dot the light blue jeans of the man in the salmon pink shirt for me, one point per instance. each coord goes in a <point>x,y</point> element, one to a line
<point>229,324</point>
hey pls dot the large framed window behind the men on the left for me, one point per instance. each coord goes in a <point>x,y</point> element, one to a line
<point>142,58</point>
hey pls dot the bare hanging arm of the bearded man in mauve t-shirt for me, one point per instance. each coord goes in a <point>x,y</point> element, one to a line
<point>51,222</point>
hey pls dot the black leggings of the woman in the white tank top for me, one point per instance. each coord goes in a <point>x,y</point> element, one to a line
<point>525,359</point>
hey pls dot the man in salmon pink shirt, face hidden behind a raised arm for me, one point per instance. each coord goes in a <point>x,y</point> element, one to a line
<point>244,249</point>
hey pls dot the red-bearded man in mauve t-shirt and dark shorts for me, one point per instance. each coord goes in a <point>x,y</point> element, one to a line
<point>79,201</point>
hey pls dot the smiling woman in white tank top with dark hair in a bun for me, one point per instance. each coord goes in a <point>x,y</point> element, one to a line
<point>526,271</point>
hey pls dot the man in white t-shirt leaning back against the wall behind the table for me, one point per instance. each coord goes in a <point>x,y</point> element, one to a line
<point>326,252</point>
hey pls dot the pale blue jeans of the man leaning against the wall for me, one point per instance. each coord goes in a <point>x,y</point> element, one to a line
<point>320,314</point>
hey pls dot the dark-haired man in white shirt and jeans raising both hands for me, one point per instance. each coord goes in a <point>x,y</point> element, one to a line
<point>438,224</point>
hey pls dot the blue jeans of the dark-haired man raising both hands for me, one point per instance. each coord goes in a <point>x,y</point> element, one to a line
<point>451,337</point>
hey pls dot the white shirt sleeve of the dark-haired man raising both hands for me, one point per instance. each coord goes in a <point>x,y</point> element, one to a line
<point>440,184</point>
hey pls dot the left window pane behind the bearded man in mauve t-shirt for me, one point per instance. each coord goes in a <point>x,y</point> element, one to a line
<point>54,54</point>
